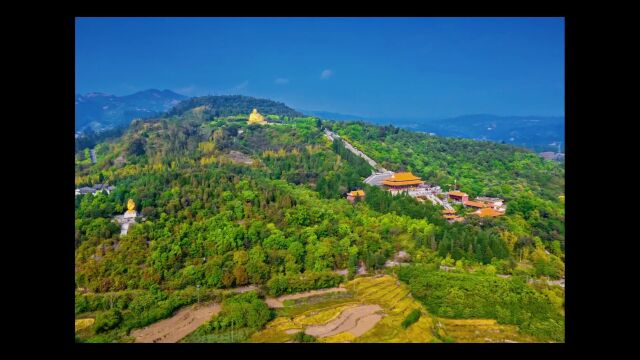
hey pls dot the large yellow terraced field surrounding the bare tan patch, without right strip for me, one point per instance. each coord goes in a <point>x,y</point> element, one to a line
<point>372,314</point>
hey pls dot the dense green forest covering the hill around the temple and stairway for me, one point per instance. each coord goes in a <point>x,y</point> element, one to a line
<point>224,204</point>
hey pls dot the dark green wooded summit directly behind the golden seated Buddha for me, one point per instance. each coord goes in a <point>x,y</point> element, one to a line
<point>230,105</point>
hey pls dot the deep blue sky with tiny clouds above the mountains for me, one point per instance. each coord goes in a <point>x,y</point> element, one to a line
<point>380,67</point>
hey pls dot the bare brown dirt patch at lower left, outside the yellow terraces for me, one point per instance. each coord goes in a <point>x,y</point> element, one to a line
<point>178,326</point>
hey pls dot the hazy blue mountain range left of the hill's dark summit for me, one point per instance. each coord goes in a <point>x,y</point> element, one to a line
<point>98,111</point>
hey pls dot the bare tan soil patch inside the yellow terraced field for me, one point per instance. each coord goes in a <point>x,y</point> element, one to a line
<point>356,320</point>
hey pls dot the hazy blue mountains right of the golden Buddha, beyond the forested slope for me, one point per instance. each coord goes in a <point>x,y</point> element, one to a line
<point>539,133</point>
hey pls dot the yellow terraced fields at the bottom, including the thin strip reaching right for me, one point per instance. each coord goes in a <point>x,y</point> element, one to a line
<point>373,312</point>
